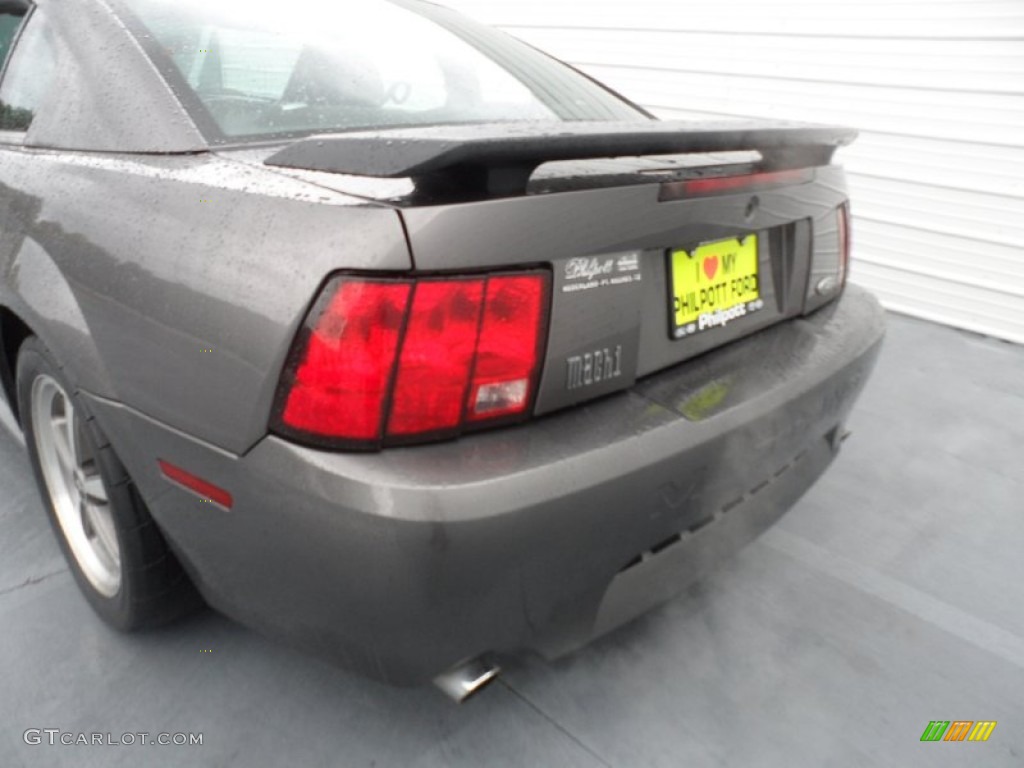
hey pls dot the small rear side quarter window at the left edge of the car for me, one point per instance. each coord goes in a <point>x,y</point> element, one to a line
<point>29,75</point>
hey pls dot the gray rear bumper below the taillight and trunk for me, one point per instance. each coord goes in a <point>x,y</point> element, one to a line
<point>403,564</point>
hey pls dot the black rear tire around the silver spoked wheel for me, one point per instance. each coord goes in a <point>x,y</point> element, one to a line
<point>153,588</point>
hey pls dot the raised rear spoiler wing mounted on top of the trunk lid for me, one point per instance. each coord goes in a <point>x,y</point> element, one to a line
<point>496,160</point>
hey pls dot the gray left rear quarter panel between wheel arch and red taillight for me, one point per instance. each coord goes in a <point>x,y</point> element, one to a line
<point>176,285</point>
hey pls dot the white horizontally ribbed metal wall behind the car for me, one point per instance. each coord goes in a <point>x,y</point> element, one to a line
<point>936,88</point>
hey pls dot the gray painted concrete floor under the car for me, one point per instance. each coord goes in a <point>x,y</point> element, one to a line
<point>891,596</point>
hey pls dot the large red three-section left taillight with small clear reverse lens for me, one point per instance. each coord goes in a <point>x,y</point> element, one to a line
<point>396,362</point>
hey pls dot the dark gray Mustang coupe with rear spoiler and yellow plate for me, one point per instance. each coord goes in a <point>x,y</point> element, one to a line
<point>390,335</point>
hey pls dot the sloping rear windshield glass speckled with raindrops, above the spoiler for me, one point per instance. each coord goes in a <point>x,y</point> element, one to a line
<point>263,70</point>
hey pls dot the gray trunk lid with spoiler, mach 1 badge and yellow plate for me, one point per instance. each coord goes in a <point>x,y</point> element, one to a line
<point>618,231</point>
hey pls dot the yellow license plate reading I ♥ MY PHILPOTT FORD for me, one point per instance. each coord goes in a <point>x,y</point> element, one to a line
<point>714,285</point>
